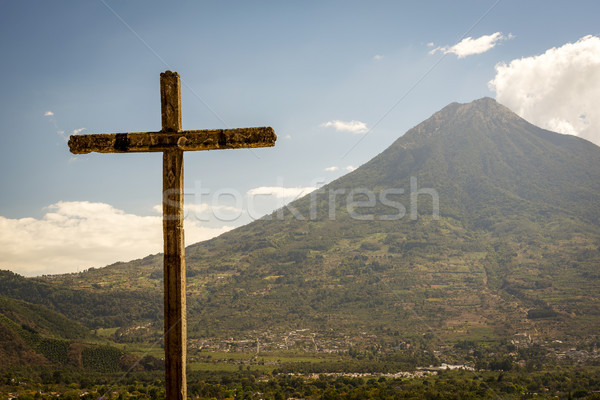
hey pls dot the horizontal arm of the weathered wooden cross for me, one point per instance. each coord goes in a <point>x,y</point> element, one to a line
<point>210,139</point>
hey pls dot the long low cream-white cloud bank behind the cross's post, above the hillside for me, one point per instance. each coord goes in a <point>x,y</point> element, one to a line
<point>78,235</point>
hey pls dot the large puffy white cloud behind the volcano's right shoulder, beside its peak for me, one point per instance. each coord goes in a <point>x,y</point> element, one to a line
<point>557,90</point>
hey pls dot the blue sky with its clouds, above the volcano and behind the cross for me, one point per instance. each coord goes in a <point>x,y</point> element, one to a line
<point>93,67</point>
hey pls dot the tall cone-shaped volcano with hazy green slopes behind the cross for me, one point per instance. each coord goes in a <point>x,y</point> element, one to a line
<point>512,247</point>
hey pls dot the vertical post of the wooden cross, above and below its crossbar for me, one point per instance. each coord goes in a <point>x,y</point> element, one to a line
<point>174,247</point>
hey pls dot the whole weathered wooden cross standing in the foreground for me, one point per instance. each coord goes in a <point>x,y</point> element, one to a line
<point>172,142</point>
